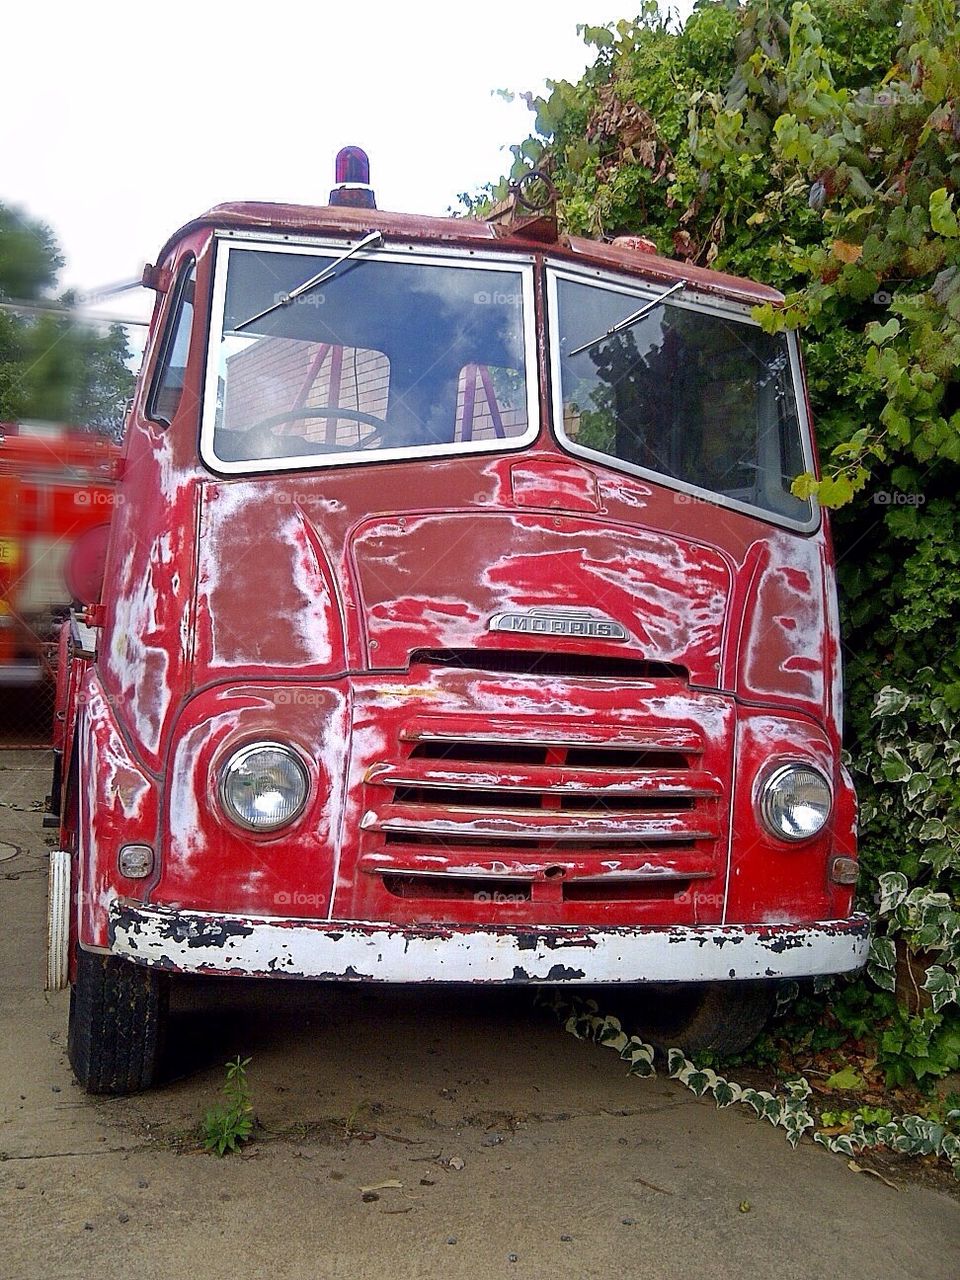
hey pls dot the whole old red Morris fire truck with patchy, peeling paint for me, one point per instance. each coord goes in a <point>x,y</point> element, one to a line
<point>459,625</point>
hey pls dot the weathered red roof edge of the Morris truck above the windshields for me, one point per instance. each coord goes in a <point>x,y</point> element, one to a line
<point>328,220</point>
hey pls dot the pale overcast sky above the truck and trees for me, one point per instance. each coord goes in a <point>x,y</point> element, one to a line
<point>121,121</point>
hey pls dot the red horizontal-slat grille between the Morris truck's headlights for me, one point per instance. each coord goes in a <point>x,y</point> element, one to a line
<point>546,792</point>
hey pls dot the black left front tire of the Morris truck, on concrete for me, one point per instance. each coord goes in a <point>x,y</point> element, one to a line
<point>118,1018</point>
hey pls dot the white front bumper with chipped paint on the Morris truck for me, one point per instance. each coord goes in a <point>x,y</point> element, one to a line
<point>207,943</point>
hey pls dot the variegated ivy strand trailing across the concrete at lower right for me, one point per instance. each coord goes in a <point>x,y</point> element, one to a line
<point>911,1136</point>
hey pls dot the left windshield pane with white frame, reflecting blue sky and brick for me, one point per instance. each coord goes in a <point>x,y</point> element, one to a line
<point>387,356</point>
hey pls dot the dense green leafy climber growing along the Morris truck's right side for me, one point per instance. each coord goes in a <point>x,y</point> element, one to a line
<point>816,147</point>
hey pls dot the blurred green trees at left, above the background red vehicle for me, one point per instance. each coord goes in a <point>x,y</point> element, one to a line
<point>52,367</point>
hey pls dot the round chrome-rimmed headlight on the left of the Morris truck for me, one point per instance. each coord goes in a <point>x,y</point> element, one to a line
<point>264,787</point>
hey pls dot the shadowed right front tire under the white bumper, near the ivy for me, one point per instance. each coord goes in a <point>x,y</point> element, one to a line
<point>719,1017</point>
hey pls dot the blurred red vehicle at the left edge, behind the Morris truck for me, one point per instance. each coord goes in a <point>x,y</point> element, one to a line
<point>56,504</point>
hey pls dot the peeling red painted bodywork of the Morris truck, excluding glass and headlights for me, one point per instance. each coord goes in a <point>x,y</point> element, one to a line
<point>463,779</point>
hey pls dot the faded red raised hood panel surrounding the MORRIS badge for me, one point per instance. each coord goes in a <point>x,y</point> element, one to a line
<point>437,582</point>
